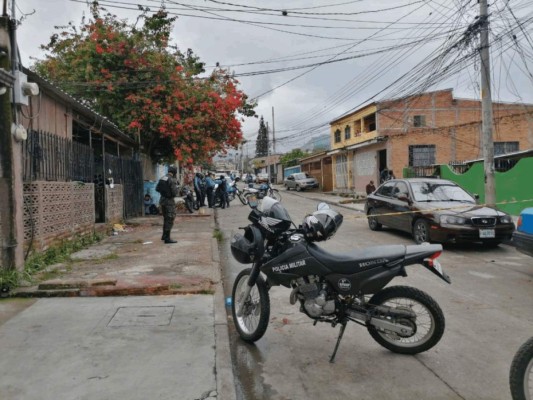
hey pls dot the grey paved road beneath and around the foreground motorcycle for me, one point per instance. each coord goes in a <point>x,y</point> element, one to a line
<point>488,309</point>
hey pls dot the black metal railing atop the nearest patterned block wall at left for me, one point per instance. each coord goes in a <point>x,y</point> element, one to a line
<point>51,158</point>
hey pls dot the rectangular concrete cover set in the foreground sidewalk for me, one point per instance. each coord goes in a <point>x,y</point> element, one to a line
<point>142,316</point>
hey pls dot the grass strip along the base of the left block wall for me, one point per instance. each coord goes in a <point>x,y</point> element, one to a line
<point>37,262</point>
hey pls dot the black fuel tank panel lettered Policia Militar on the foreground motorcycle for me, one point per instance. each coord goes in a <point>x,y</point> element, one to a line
<point>293,263</point>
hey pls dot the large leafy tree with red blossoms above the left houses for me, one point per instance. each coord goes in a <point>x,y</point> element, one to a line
<point>136,78</point>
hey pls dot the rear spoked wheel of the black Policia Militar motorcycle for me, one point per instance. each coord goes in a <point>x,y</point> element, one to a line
<point>428,324</point>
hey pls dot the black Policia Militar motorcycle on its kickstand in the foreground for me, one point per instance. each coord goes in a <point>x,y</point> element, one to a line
<point>333,288</point>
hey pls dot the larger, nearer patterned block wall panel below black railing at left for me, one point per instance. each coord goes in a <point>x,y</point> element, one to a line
<point>55,211</point>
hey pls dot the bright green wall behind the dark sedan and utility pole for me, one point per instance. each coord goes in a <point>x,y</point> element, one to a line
<point>514,188</point>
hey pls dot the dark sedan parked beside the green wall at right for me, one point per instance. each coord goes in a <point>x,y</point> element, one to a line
<point>436,210</point>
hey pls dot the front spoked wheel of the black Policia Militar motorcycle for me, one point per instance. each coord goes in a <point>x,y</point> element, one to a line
<point>253,323</point>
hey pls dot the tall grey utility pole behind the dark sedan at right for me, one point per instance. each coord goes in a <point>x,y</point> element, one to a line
<point>486,106</point>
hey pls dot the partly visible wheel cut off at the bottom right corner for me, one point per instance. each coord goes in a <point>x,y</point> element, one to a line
<point>521,373</point>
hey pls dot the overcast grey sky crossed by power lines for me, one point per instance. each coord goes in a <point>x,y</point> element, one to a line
<point>310,61</point>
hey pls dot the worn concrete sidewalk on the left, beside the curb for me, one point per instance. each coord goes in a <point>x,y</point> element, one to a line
<point>111,343</point>
